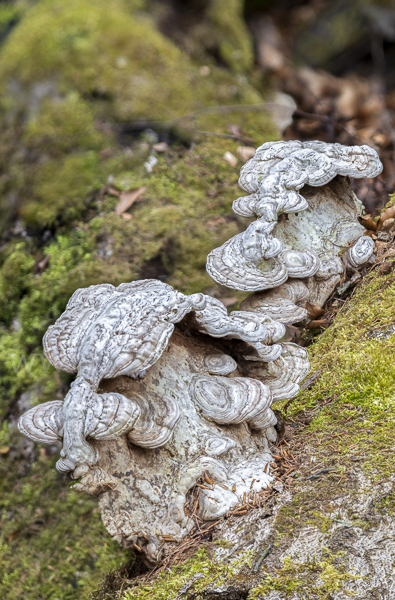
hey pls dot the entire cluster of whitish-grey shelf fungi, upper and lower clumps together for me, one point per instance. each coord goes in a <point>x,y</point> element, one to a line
<point>170,387</point>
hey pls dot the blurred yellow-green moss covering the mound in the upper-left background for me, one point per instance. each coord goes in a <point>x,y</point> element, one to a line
<point>70,71</point>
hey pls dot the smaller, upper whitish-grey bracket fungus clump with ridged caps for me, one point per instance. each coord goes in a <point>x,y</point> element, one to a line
<point>295,235</point>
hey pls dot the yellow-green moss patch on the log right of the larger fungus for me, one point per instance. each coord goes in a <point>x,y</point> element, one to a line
<point>356,355</point>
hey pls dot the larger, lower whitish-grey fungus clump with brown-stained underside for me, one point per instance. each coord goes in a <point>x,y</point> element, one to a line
<point>140,424</point>
